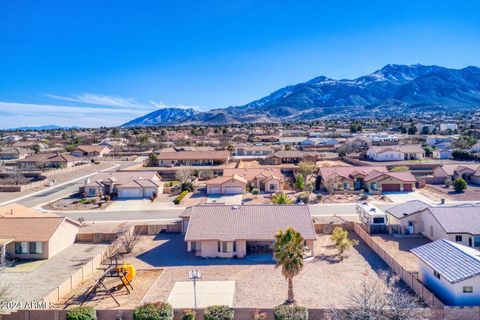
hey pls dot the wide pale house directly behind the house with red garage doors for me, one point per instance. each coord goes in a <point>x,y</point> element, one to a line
<point>396,153</point>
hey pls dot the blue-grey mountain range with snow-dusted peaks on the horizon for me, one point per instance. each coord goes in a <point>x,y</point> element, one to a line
<point>392,90</point>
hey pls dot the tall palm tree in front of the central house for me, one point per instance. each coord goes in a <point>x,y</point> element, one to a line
<point>288,253</point>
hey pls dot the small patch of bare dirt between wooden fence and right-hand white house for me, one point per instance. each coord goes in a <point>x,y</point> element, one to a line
<point>399,249</point>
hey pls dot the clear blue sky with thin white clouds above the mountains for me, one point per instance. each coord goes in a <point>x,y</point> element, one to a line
<point>94,63</point>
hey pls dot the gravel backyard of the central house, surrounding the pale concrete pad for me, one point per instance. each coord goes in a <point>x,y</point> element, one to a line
<point>324,282</point>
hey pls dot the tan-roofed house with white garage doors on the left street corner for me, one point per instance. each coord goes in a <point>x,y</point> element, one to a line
<point>123,184</point>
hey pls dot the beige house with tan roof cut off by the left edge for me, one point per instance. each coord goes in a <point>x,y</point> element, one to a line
<point>27,234</point>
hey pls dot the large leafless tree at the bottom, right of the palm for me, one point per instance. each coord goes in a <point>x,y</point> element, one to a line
<point>380,299</point>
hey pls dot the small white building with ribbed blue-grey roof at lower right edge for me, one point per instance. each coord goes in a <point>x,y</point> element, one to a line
<point>451,271</point>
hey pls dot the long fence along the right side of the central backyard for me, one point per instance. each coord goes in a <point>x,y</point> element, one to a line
<point>439,310</point>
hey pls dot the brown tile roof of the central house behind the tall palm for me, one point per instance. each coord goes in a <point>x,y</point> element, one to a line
<point>246,222</point>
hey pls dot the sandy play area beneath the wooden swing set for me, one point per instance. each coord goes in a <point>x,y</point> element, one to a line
<point>102,300</point>
